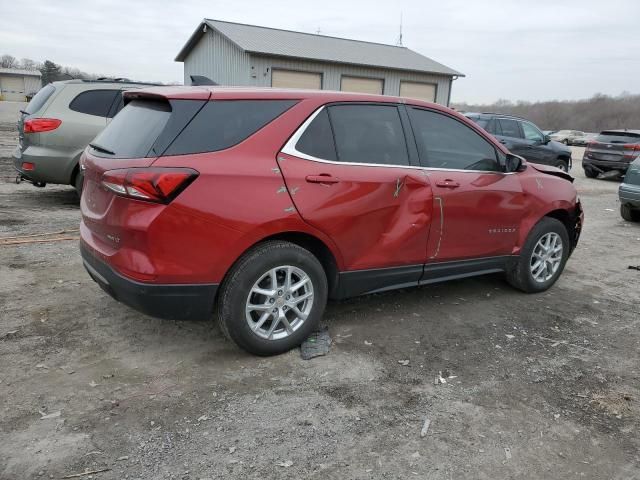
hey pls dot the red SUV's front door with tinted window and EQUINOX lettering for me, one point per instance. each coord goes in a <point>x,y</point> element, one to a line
<point>477,207</point>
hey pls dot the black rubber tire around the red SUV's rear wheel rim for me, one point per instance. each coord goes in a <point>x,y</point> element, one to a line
<point>236,288</point>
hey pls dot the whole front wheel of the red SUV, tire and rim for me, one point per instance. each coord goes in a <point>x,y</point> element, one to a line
<point>542,258</point>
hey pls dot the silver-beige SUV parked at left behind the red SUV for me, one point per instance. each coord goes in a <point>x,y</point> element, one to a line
<point>57,125</point>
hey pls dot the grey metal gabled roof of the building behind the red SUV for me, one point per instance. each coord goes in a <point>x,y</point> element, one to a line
<point>287,43</point>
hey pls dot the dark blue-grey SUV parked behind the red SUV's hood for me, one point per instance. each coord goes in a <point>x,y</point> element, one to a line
<point>523,138</point>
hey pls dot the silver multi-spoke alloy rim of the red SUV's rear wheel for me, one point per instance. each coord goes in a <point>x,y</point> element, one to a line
<point>279,302</point>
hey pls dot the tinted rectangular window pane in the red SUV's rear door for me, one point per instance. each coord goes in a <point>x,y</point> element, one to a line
<point>369,134</point>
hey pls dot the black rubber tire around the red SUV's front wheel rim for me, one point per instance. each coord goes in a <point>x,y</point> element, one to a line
<point>519,275</point>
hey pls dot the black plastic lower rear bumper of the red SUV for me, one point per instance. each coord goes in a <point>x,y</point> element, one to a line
<point>176,301</point>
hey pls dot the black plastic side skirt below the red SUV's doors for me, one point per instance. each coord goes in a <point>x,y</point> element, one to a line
<point>362,282</point>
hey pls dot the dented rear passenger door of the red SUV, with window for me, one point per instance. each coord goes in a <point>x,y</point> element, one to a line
<point>350,175</point>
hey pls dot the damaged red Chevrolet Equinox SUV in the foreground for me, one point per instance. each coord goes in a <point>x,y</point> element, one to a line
<point>260,204</point>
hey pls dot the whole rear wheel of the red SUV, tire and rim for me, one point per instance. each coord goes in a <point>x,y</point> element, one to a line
<point>273,298</point>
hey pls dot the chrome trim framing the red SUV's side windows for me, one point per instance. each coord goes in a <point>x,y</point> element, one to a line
<point>289,147</point>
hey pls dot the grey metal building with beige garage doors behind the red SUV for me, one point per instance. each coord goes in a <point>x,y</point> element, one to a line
<point>247,55</point>
